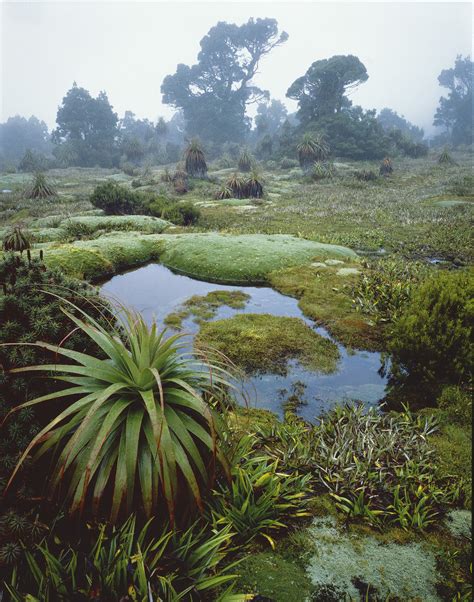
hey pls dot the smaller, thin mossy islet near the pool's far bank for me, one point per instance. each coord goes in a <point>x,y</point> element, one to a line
<point>205,307</point>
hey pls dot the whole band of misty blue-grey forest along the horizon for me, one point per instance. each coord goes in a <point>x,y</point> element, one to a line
<point>211,99</point>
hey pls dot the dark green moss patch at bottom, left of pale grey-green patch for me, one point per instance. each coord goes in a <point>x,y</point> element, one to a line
<point>273,577</point>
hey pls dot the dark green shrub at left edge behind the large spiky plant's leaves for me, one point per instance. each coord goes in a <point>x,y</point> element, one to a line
<point>28,314</point>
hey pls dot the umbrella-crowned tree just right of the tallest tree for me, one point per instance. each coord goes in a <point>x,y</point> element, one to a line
<point>321,92</point>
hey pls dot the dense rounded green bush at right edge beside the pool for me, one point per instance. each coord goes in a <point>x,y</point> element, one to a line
<point>431,344</point>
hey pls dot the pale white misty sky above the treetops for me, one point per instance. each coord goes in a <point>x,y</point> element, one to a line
<point>127,48</point>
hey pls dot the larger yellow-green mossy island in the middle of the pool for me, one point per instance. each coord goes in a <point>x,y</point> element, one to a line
<point>264,343</point>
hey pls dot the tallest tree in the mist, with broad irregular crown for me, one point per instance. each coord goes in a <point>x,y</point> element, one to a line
<point>215,92</point>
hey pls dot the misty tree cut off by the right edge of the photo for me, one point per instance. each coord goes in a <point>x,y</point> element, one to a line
<point>454,113</point>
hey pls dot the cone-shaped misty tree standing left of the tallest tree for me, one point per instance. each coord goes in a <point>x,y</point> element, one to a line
<point>88,125</point>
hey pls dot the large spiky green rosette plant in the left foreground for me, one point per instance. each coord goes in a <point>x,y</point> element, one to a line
<point>136,428</point>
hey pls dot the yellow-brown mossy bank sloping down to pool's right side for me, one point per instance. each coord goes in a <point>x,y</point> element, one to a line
<point>326,297</point>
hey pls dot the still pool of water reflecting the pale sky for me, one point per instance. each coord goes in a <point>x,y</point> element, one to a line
<point>155,291</point>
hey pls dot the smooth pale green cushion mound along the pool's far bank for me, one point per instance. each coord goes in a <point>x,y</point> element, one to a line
<point>245,258</point>
